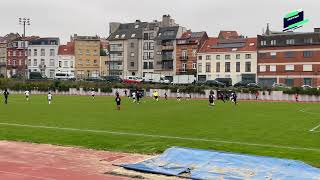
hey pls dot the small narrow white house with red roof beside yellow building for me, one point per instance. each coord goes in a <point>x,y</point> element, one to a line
<point>66,59</point>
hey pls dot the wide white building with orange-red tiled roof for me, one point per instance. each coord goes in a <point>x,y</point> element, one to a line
<point>233,58</point>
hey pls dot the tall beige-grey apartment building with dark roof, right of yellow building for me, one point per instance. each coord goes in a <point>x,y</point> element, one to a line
<point>126,42</point>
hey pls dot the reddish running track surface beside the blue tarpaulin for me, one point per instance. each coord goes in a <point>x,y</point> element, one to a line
<point>27,161</point>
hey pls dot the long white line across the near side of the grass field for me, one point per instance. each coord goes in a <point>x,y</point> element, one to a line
<point>163,137</point>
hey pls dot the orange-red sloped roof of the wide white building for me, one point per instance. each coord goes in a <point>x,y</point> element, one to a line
<point>214,44</point>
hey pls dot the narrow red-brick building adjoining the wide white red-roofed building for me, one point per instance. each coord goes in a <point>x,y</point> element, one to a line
<point>188,46</point>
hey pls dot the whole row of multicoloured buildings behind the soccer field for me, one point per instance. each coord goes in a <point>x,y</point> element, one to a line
<point>166,48</point>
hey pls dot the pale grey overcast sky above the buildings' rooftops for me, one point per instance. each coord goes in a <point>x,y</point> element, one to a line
<point>62,18</point>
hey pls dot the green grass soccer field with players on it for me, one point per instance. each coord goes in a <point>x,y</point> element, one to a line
<point>269,129</point>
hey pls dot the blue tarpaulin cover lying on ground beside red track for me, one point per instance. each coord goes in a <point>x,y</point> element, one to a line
<point>203,164</point>
